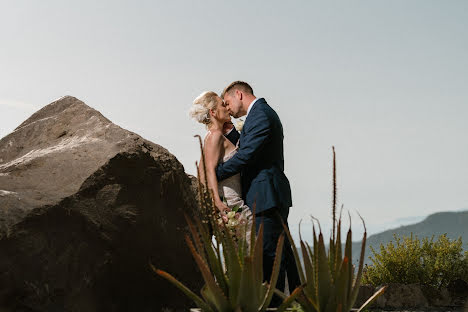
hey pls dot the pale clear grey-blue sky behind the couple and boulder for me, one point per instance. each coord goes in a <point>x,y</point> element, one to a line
<point>385,82</point>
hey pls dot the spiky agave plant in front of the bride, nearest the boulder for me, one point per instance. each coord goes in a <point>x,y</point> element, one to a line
<point>232,269</point>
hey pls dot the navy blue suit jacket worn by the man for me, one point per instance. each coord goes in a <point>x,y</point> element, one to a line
<point>260,160</point>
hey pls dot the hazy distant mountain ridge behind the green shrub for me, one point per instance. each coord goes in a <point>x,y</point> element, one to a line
<point>454,224</point>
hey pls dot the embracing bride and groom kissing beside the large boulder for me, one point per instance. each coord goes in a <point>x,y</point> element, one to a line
<point>247,170</point>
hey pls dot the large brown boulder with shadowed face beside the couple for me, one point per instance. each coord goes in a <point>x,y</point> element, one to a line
<point>85,206</point>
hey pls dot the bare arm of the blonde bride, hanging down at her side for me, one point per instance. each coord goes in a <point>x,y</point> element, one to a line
<point>214,148</point>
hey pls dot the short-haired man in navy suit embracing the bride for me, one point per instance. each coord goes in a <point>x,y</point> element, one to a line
<point>260,161</point>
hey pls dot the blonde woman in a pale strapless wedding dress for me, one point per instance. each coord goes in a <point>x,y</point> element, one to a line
<point>209,109</point>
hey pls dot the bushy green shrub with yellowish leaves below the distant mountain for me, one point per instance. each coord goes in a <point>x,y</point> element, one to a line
<point>411,260</point>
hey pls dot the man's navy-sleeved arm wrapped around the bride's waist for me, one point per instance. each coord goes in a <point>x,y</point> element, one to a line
<point>256,134</point>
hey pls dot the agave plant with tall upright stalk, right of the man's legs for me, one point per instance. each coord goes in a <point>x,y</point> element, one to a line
<point>329,278</point>
